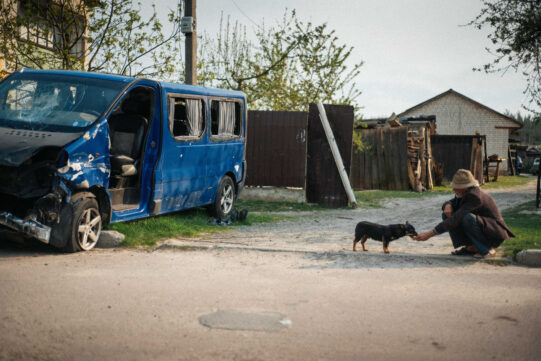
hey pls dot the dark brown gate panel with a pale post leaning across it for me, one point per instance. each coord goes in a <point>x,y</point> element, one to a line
<point>323,183</point>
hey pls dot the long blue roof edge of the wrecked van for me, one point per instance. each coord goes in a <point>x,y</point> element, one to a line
<point>170,87</point>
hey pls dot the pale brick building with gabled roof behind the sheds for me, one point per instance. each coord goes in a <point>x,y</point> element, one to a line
<point>456,114</point>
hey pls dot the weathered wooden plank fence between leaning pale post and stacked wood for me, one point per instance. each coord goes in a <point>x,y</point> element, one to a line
<point>382,164</point>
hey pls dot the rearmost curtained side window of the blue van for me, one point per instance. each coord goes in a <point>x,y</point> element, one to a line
<point>225,118</point>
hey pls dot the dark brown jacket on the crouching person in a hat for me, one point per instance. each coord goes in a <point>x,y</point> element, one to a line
<point>481,204</point>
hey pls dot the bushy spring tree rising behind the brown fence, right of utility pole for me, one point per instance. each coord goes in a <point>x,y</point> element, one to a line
<point>293,64</point>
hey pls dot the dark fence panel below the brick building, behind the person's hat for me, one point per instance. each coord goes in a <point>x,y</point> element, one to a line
<point>455,152</point>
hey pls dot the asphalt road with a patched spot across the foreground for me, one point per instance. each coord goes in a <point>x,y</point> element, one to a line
<point>252,305</point>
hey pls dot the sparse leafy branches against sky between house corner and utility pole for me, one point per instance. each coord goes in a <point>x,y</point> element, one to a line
<point>123,42</point>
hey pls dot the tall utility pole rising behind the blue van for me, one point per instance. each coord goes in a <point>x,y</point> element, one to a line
<point>189,26</point>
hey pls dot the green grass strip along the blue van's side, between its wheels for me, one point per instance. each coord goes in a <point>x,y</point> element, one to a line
<point>191,223</point>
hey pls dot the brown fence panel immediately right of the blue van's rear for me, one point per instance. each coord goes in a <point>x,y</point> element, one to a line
<point>276,148</point>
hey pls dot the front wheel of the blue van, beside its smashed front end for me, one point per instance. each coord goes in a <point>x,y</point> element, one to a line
<point>85,225</point>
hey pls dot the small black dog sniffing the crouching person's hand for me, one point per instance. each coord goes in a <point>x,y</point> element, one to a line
<point>384,234</point>
